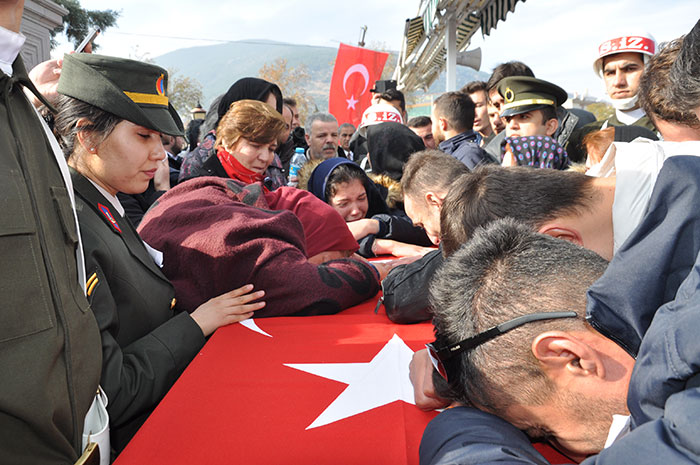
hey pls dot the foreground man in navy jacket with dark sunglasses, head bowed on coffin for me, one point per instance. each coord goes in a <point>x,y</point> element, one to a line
<point>538,332</point>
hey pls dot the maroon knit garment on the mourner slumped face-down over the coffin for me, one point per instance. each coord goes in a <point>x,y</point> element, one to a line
<point>217,235</point>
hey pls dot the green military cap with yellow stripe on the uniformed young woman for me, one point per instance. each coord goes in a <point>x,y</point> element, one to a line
<point>129,89</point>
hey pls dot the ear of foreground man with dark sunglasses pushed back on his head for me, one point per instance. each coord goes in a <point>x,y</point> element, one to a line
<point>561,353</point>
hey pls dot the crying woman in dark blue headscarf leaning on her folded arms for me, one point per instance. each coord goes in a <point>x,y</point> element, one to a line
<point>343,185</point>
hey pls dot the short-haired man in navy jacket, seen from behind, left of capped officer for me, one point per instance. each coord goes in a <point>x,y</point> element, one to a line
<point>452,117</point>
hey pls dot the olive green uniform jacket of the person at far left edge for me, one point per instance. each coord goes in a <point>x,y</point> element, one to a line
<point>49,342</point>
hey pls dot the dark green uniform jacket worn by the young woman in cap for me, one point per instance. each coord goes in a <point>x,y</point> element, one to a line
<point>145,343</point>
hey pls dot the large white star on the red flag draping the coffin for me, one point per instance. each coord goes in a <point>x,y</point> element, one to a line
<point>379,382</point>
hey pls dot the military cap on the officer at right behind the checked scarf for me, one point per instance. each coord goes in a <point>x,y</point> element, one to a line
<point>523,93</point>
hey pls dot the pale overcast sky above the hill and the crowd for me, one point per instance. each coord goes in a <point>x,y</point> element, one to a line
<point>556,38</point>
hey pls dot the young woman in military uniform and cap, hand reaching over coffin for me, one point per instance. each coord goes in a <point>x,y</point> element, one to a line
<point>111,114</point>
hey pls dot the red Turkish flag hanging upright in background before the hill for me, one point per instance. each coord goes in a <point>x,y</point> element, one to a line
<point>356,70</point>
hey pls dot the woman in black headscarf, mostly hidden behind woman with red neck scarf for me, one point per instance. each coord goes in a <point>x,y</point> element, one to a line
<point>248,88</point>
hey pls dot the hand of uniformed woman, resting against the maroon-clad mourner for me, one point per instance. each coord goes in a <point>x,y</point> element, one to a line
<point>228,308</point>
